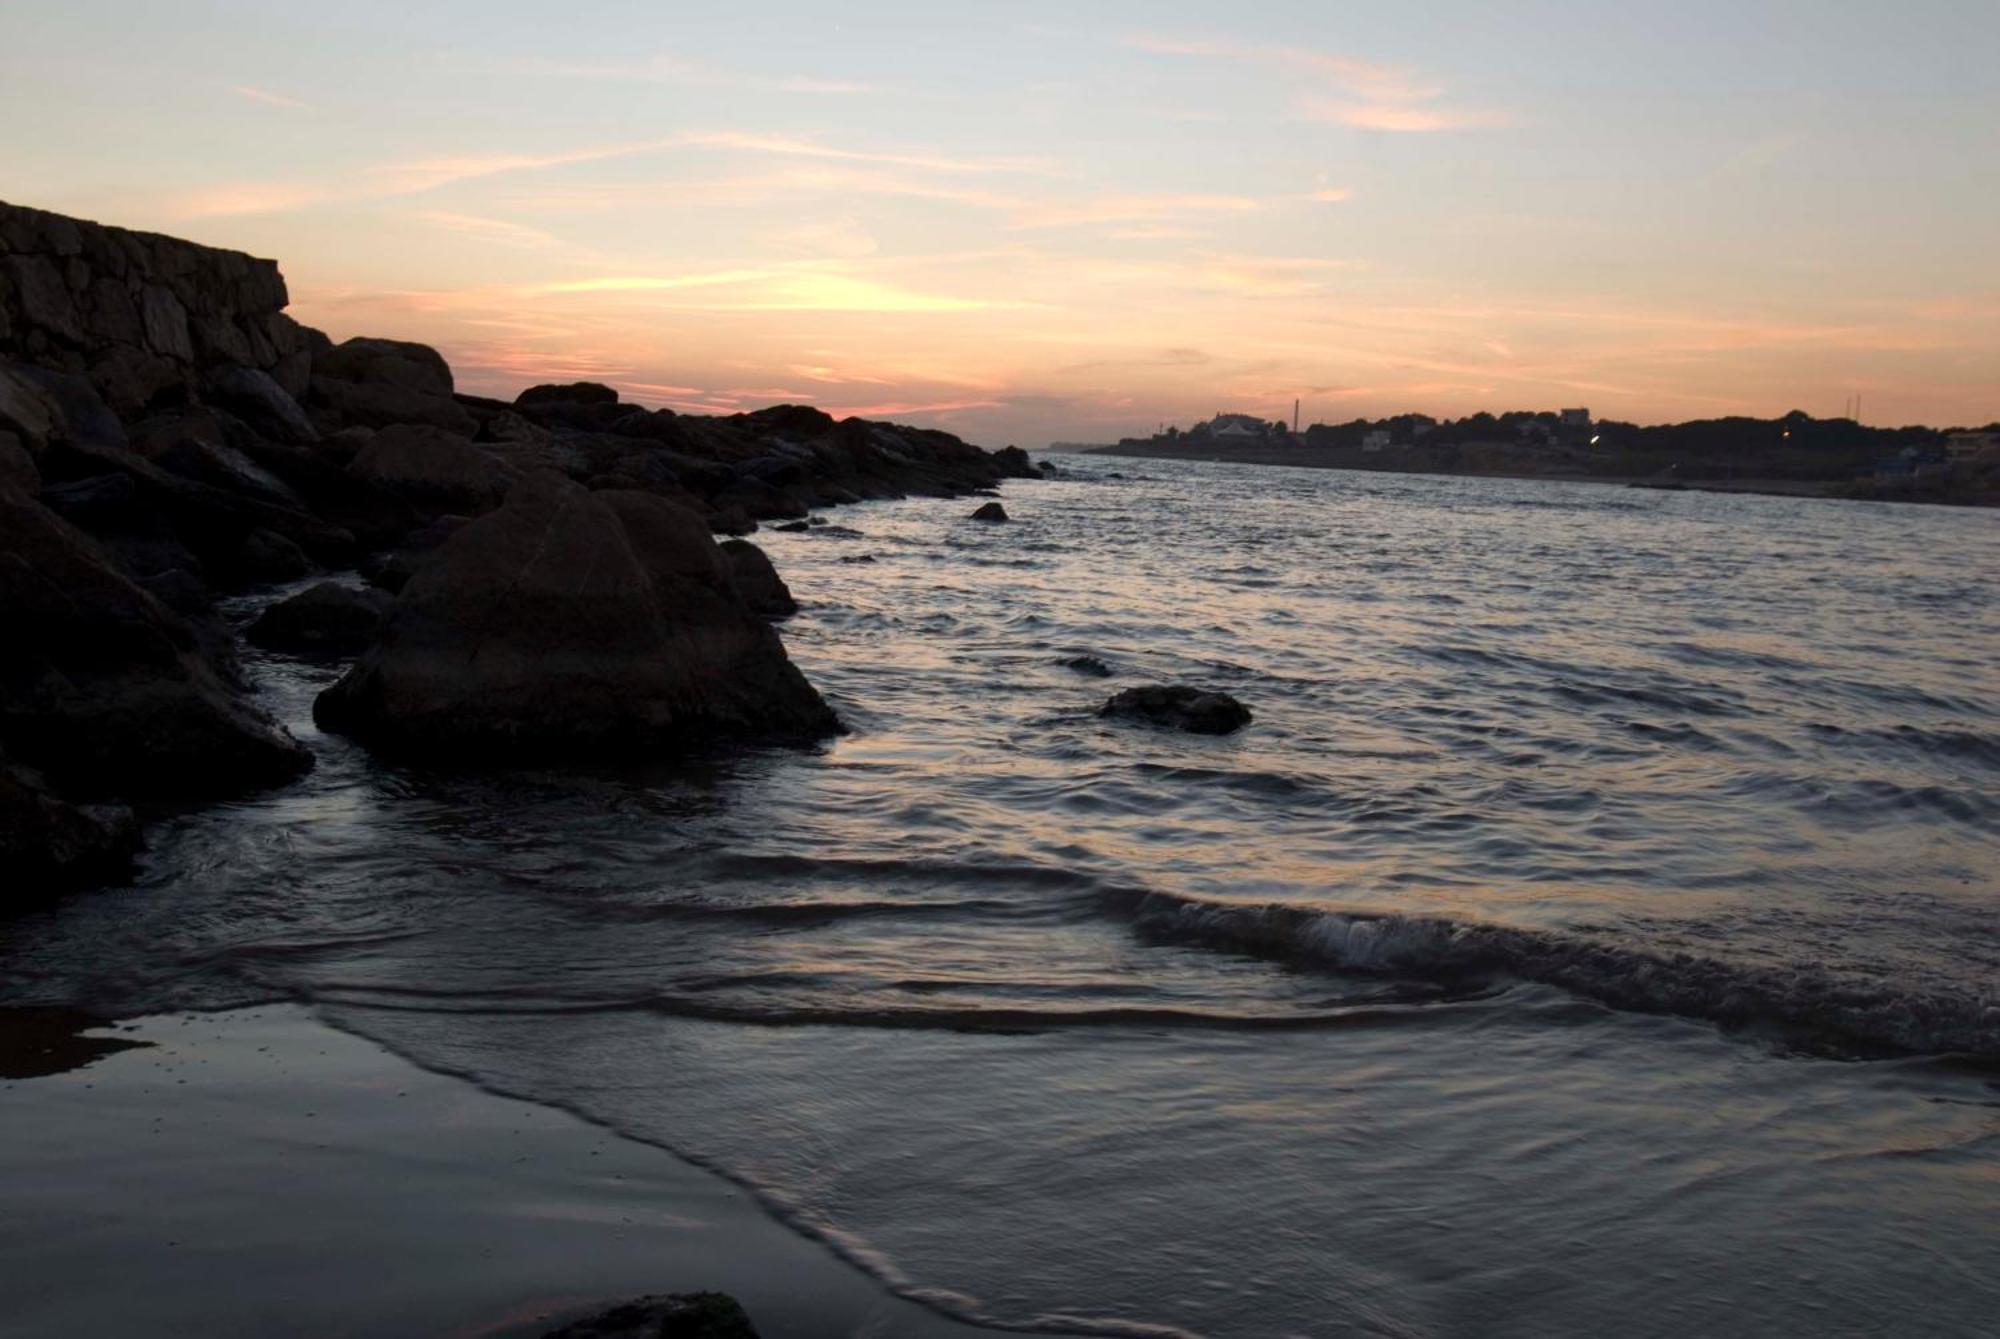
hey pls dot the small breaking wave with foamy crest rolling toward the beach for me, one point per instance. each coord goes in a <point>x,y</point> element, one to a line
<point>1811,1008</point>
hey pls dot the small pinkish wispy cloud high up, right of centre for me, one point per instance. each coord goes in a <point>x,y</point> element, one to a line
<point>1367,95</point>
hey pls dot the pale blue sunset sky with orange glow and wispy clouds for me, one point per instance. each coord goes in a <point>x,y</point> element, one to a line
<point>1035,223</point>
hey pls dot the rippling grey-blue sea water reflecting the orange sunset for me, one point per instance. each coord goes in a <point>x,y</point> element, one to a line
<point>1597,930</point>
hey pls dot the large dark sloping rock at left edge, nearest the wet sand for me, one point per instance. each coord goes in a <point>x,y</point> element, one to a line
<point>105,690</point>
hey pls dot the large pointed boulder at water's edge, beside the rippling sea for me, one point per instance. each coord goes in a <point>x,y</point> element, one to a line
<point>573,625</point>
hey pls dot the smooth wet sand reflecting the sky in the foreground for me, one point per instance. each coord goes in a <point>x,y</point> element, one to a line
<point>263,1174</point>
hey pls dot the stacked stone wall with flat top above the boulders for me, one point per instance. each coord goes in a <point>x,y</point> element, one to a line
<point>141,315</point>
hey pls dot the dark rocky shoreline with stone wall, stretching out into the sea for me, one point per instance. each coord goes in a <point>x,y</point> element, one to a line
<point>551,567</point>
